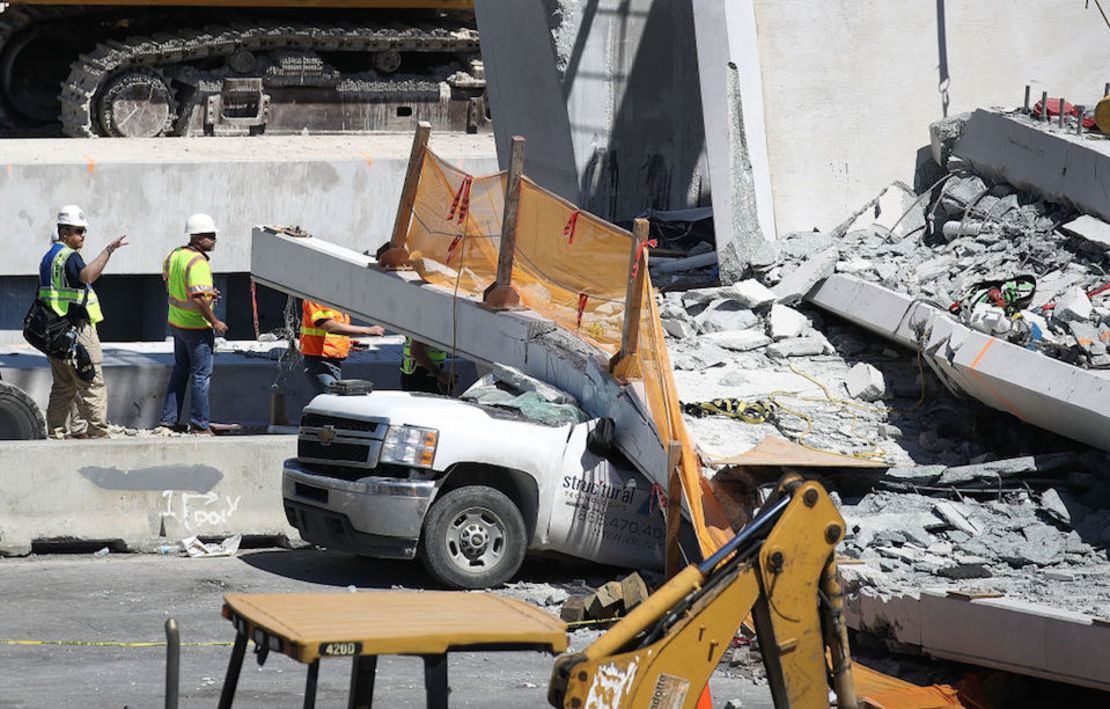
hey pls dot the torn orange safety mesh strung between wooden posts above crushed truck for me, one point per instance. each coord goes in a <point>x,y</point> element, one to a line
<point>570,267</point>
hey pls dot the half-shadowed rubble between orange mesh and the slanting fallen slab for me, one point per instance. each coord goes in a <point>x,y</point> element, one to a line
<point>825,382</point>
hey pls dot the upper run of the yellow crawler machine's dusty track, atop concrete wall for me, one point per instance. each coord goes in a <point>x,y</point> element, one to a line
<point>89,73</point>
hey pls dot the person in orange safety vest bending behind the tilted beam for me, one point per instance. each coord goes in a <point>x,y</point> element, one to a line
<point>326,343</point>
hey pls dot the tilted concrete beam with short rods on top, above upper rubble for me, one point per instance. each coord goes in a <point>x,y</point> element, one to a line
<point>1057,166</point>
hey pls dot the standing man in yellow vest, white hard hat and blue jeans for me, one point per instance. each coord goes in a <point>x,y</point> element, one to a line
<point>194,323</point>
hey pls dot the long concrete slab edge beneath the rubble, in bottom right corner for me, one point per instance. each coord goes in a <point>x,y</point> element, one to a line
<point>1001,633</point>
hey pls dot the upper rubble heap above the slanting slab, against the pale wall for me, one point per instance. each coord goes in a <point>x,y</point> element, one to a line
<point>968,230</point>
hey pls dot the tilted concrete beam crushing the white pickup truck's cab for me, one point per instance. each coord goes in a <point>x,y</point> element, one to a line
<point>405,303</point>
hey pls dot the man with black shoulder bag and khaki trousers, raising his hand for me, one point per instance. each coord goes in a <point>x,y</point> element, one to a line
<point>78,407</point>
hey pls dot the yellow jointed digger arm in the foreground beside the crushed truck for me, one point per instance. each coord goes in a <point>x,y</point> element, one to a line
<point>781,569</point>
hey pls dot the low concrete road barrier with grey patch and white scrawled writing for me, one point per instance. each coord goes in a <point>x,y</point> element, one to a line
<point>138,494</point>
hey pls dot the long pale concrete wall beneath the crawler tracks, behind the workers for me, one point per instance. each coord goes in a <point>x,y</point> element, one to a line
<point>148,188</point>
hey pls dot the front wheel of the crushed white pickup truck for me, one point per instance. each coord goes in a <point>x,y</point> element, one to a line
<point>473,538</point>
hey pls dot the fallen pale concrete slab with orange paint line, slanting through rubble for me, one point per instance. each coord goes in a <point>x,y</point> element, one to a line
<point>1047,393</point>
